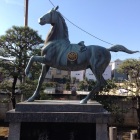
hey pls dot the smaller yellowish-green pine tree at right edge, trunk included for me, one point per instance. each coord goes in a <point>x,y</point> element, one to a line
<point>131,67</point>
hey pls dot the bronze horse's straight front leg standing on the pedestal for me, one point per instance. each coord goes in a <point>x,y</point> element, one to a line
<point>45,69</point>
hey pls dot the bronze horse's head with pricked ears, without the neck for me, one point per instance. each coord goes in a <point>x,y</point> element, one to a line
<point>49,18</point>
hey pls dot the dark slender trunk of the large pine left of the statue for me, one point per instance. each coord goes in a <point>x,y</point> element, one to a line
<point>13,98</point>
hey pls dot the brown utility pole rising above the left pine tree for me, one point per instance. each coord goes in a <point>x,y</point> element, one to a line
<point>26,12</point>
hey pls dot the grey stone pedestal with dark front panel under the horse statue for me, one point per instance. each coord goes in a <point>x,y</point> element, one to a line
<point>51,119</point>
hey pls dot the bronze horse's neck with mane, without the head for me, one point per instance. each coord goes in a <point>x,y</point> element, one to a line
<point>58,30</point>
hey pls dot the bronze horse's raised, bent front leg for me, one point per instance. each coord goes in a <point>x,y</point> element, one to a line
<point>33,59</point>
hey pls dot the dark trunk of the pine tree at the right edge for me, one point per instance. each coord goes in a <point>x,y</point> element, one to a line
<point>138,115</point>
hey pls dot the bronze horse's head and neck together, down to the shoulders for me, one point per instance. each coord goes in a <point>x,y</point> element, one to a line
<point>59,28</point>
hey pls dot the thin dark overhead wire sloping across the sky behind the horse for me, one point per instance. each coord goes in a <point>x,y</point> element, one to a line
<point>81,28</point>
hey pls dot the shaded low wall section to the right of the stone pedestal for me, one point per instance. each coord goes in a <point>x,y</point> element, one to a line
<point>127,115</point>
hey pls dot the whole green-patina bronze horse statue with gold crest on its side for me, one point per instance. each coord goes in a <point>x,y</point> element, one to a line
<point>59,53</point>
